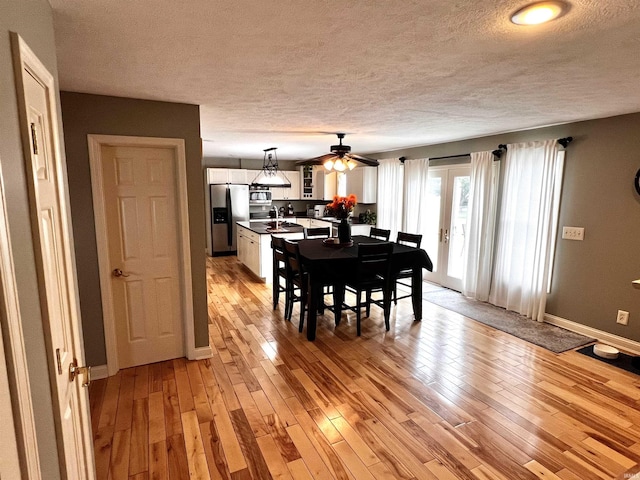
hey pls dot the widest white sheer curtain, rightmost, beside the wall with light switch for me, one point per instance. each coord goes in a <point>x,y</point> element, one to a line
<point>524,238</point>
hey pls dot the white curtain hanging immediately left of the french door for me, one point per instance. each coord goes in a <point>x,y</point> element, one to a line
<point>416,185</point>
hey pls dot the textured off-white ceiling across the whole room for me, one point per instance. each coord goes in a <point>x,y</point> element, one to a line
<point>389,73</point>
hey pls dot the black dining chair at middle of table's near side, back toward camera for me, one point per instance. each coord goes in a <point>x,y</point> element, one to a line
<point>373,272</point>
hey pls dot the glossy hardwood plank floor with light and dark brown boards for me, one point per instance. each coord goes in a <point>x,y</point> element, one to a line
<point>444,398</point>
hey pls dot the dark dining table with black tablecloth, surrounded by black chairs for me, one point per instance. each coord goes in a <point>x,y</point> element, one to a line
<point>328,265</point>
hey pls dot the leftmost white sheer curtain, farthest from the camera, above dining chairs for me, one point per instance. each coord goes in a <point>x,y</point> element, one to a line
<point>389,205</point>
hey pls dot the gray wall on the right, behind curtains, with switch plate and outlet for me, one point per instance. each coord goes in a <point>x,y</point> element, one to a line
<point>592,278</point>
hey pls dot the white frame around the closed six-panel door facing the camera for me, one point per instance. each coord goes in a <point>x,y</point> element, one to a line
<point>96,142</point>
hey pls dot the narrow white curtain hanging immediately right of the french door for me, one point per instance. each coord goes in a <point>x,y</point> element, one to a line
<point>481,224</point>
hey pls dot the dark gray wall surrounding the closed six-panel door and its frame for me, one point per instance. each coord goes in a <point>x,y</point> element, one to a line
<point>85,114</point>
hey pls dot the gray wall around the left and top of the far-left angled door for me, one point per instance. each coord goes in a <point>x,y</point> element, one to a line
<point>32,19</point>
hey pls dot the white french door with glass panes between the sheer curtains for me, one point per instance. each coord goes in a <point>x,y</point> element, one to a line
<point>448,200</point>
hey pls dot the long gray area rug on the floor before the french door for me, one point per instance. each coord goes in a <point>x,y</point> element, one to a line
<point>545,335</point>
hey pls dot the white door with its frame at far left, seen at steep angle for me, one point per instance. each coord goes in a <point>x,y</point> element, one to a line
<point>55,261</point>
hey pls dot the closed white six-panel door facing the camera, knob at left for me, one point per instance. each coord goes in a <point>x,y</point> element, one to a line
<point>143,237</point>
